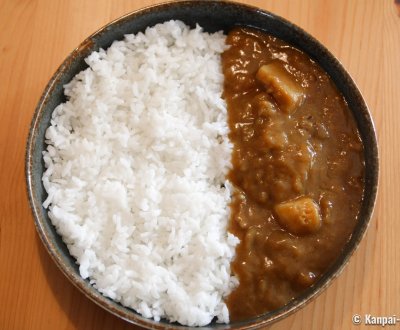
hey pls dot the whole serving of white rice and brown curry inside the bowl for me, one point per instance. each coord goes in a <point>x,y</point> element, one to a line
<point>191,194</point>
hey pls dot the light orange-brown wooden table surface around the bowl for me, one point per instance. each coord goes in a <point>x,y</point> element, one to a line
<point>35,37</point>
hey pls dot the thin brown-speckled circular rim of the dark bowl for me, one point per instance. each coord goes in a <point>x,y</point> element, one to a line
<point>127,313</point>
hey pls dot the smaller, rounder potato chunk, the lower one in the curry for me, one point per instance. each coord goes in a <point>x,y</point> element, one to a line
<point>299,216</point>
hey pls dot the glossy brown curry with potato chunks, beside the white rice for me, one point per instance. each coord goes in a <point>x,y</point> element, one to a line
<point>299,151</point>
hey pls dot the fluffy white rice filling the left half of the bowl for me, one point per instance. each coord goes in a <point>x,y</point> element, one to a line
<point>136,164</point>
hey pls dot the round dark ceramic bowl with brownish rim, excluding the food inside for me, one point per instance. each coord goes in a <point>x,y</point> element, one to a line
<point>213,16</point>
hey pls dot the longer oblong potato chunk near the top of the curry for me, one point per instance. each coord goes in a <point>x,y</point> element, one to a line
<point>281,85</point>
